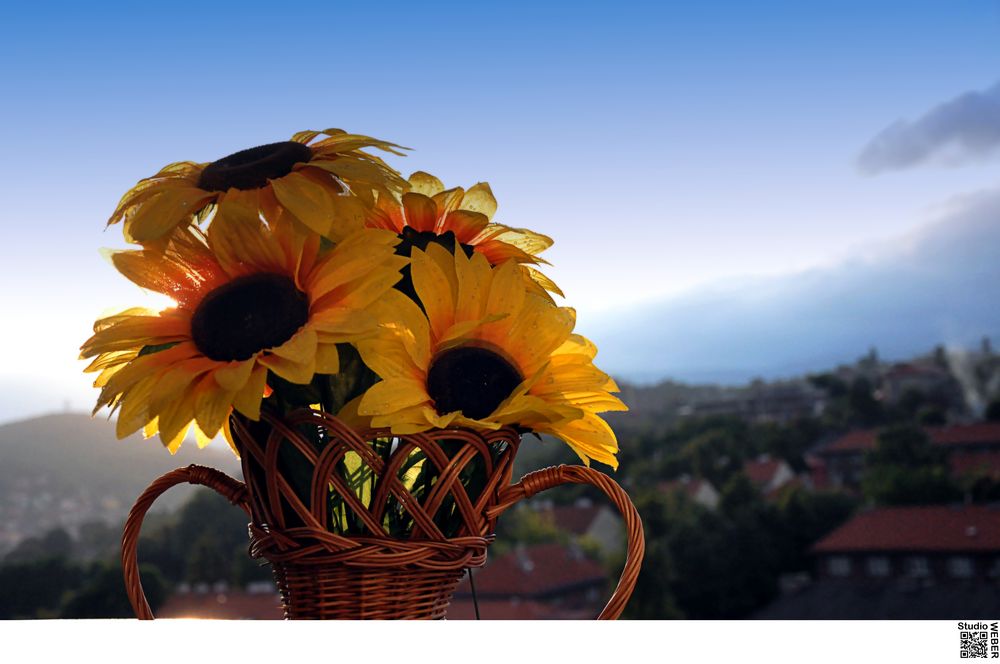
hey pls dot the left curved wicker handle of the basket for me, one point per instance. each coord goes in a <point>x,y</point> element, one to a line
<point>233,490</point>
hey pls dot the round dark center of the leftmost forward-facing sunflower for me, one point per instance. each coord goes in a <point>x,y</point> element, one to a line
<point>248,315</point>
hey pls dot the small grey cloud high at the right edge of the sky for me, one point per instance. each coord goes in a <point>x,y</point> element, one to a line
<point>964,129</point>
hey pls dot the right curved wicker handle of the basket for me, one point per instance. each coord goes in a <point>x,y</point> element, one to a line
<point>540,480</point>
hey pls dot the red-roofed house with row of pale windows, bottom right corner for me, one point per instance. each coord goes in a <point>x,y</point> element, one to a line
<point>902,563</point>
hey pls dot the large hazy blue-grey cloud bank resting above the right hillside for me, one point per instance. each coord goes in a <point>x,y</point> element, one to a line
<point>937,286</point>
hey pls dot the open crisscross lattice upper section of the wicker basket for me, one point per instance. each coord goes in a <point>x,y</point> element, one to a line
<point>275,506</point>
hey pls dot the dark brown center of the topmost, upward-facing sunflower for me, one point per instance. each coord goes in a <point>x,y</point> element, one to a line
<point>251,169</point>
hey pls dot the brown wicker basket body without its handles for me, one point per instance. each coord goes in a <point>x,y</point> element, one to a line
<point>323,574</point>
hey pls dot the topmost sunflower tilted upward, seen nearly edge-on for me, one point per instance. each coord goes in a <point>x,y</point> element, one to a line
<point>327,185</point>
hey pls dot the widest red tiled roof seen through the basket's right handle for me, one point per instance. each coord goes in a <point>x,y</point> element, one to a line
<point>535,571</point>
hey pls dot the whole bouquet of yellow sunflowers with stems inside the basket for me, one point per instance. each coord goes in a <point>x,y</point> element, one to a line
<point>318,293</point>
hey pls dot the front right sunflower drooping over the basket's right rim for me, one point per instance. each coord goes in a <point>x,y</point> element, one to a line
<point>489,352</point>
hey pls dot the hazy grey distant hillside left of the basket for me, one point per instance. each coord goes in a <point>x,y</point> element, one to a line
<point>68,469</point>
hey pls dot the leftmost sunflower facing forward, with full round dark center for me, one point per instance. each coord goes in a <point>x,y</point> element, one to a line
<point>251,299</point>
